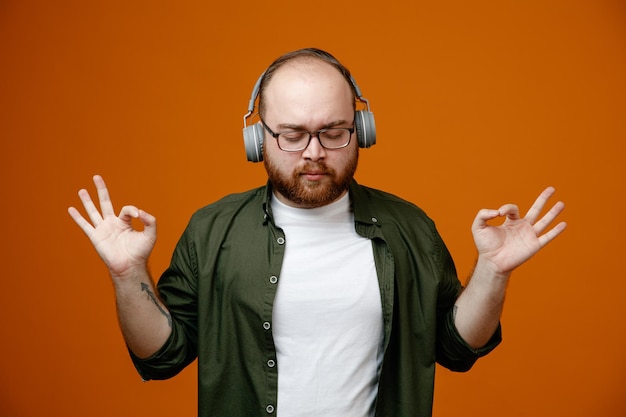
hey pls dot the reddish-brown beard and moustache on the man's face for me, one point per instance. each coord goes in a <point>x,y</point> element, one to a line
<point>310,194</point>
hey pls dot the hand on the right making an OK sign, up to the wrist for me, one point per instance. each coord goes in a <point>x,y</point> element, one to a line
<point>507,246</point>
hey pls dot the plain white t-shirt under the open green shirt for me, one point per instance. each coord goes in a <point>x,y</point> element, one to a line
<point>327,318</point>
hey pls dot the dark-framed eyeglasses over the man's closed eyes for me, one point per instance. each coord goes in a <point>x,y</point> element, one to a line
<point>298,140</point>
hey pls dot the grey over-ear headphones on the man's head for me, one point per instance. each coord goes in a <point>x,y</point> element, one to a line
<point>254,135</point>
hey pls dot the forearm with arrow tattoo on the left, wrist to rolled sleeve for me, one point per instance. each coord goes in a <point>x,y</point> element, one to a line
<point>144,320</point>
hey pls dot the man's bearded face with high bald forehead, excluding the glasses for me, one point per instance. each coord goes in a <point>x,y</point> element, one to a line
<point>309,95</point>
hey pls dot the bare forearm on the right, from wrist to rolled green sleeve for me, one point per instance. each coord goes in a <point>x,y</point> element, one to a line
<point>479,307</point>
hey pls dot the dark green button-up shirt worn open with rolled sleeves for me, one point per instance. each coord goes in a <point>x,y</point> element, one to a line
<point>220,289</point>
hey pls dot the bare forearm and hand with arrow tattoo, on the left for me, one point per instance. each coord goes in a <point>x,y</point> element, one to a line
<point>144,320</point>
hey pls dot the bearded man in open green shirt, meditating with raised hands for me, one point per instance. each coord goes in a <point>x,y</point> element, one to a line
<point>312,295</point>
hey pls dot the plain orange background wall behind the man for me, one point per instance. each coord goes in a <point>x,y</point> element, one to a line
<point>476,104</point>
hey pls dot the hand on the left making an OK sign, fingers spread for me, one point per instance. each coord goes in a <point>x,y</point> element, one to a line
<point>122,248</point>
